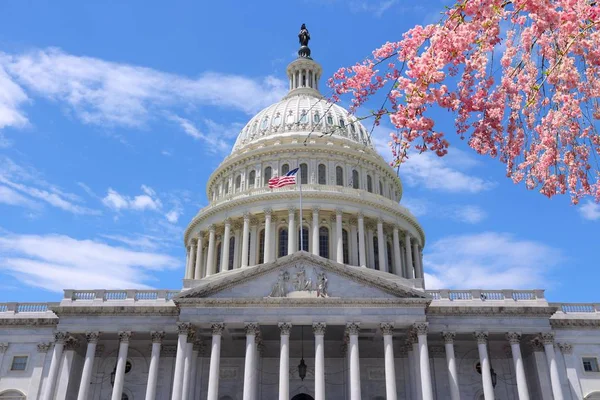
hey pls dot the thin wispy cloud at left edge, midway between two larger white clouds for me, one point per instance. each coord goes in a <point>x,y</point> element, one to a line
<point>24,187</point>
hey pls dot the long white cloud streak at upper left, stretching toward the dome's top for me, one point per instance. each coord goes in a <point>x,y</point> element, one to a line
<point>109,93</point>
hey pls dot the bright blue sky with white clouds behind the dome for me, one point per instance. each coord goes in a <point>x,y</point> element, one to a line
<point>113,115</point>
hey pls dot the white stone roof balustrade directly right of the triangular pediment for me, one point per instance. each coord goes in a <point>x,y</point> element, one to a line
<point>485,295</point>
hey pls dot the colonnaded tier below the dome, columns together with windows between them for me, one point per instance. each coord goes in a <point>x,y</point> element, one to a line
<point>350,239</point>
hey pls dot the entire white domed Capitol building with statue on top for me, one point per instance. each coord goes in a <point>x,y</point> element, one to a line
<point>282,302</point>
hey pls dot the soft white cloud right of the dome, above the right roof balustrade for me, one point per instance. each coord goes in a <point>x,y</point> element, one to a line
<point>488,260</point>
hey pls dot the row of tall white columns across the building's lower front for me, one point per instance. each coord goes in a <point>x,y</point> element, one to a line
<point>188,348</point>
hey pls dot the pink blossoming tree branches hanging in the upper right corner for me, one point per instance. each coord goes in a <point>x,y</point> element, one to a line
<point>522,78</point>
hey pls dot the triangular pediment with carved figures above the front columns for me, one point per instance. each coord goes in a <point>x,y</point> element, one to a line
<point>303,275</point>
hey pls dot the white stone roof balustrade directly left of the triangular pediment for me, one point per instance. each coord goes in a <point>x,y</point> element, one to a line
<point>103,295</point>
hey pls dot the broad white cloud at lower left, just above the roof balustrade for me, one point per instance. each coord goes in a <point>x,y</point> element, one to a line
<point>55,261</point>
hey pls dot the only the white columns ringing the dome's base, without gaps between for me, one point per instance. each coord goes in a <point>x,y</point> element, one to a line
<point>407,264</point>
